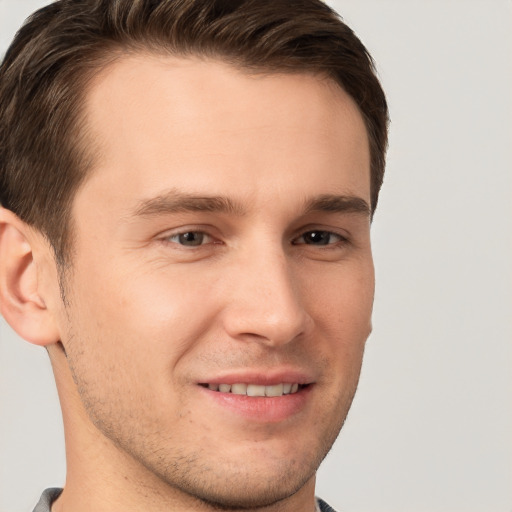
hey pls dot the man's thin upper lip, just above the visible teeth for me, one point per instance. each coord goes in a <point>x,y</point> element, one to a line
<point>261,377</point>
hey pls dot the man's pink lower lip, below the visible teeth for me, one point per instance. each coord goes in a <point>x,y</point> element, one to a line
<point>261,409</point>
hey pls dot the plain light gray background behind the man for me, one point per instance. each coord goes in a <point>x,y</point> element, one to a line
<point>431,426</point>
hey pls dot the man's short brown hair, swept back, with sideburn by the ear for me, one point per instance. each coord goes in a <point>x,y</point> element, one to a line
<point>43,79</point>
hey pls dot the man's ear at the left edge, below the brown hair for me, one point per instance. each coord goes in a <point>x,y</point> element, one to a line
<point>22,302</point>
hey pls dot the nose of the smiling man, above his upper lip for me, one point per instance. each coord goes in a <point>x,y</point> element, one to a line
<point>265,303</point>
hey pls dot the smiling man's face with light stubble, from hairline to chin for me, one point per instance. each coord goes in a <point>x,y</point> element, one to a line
<point>222,281</point>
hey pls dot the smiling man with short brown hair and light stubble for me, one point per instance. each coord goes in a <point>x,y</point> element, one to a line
<point>187,190</point>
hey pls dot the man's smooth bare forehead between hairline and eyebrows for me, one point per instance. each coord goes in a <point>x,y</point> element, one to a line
<point>157,120</point>
